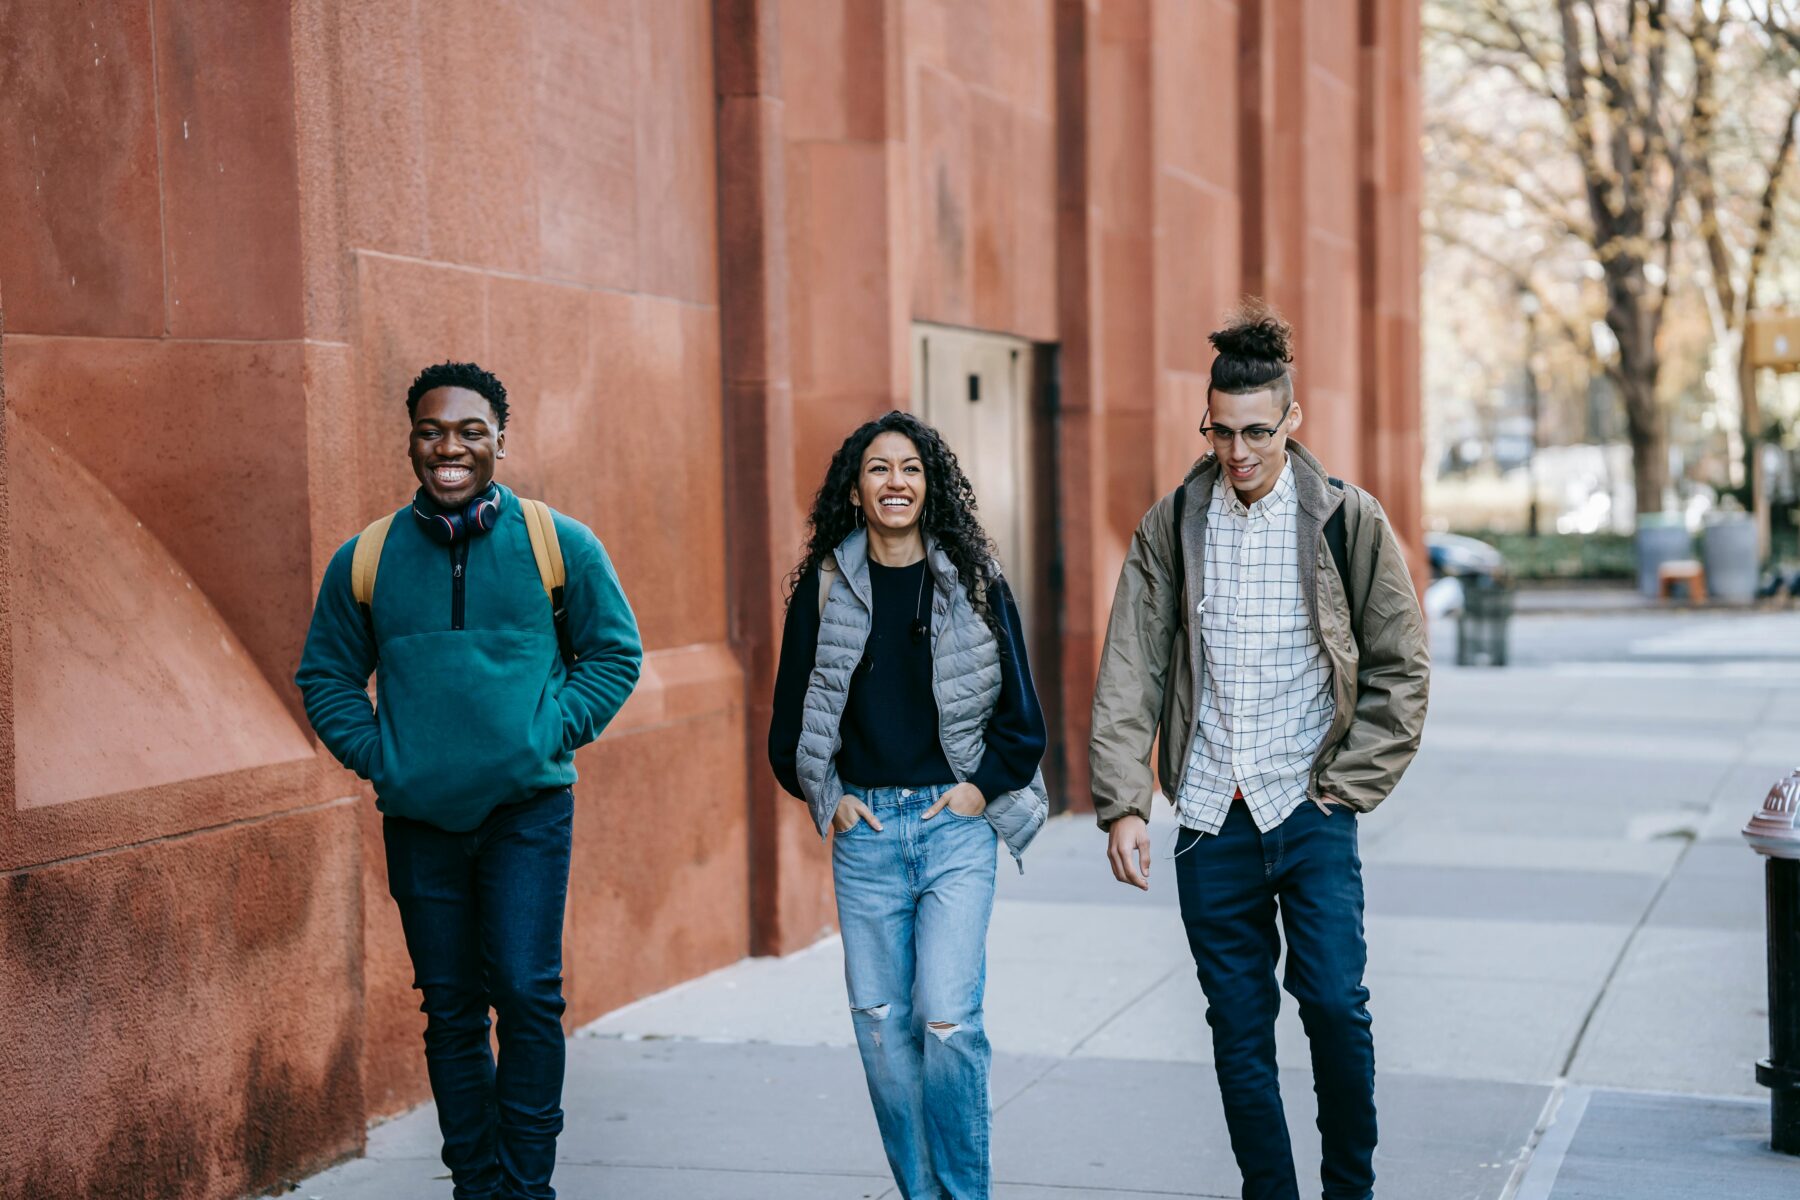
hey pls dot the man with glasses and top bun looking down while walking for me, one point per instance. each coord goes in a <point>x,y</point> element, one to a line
<point>1268,629</point>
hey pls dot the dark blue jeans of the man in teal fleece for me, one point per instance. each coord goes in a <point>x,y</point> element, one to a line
<point>483,915</point>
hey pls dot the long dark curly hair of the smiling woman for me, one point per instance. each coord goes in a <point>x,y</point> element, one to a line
<point>949,515</point>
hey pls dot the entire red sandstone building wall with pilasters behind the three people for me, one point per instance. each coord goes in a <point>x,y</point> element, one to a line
<point>692,237</point>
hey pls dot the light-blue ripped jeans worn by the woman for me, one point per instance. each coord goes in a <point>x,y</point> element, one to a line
<point>913,902</point>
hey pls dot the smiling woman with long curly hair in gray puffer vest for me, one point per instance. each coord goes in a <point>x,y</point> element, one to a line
<point>906,719</point>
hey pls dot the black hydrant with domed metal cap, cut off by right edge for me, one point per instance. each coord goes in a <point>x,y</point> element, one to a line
<point>1776,834</point>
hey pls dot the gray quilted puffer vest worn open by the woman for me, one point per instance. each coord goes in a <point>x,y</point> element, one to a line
<point>966,677</point>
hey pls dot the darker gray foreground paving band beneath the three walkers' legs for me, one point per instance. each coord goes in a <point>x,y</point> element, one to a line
<point>701,1120</point>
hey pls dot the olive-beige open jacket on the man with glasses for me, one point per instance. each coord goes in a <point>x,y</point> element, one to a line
<point>1151,663</point>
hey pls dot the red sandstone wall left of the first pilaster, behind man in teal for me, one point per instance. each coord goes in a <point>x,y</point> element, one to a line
<point>246,233</point>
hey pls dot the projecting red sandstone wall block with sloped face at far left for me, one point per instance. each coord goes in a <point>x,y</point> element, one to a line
<point>183,974</point>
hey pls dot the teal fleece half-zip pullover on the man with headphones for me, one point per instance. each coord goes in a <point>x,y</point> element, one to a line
<point>474,706</point>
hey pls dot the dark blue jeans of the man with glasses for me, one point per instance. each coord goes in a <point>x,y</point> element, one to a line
<point>1232,886</point>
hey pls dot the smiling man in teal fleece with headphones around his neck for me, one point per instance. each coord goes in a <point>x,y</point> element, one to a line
<point>471,748</point>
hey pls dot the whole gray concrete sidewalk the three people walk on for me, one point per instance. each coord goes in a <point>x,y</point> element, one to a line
<point>1567,972</point>
